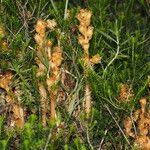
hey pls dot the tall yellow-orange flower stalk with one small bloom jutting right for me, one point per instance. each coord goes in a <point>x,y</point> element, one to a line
<point>86,32</point>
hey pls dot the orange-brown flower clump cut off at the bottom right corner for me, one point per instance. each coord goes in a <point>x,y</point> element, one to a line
<point>141,117</point>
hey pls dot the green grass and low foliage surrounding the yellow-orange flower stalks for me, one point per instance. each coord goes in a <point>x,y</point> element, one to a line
<point>121,37</point>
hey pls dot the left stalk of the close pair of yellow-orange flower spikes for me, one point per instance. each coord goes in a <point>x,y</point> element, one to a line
<point>40,38</point>
